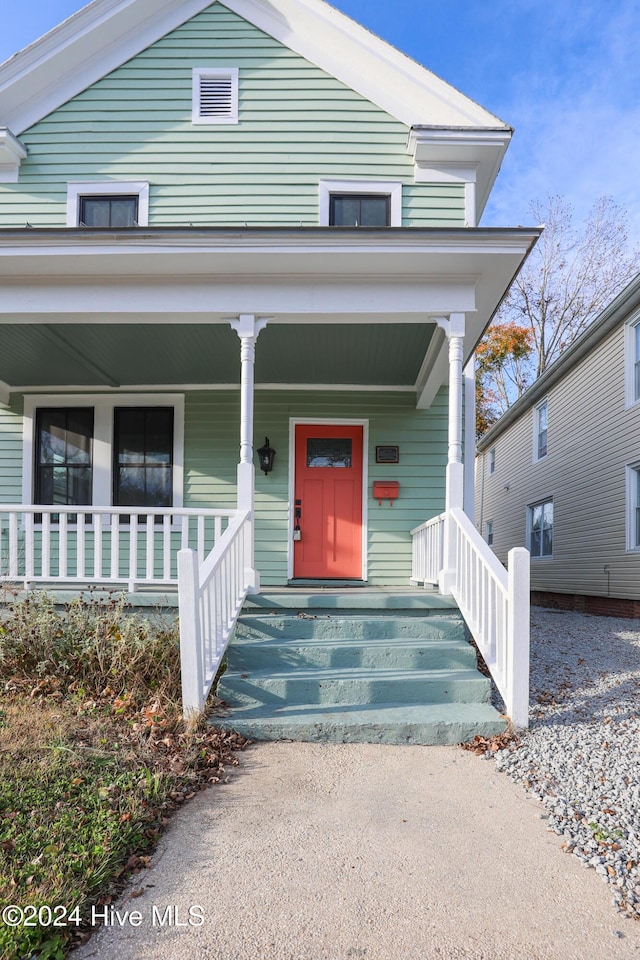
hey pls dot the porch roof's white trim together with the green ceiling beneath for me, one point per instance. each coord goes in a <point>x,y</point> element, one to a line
<point>143,307</point>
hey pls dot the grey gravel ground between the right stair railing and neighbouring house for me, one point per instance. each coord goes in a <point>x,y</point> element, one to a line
<point>581,755</point>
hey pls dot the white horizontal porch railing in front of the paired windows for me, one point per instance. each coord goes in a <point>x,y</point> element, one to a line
<point>103,545</point>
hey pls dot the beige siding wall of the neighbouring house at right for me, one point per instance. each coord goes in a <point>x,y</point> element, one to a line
<point>592,438</point>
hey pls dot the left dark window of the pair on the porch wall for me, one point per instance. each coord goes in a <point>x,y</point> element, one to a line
<point>63,456</point>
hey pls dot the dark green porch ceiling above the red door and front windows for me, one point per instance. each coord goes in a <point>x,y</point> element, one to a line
<point>114,355</point>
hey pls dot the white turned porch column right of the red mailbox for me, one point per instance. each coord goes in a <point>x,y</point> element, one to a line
<point>454,328</point>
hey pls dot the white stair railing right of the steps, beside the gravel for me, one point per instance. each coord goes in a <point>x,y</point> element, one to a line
<point>493,601</point>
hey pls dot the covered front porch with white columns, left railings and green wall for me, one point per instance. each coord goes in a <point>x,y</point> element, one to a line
<point>316,322</point>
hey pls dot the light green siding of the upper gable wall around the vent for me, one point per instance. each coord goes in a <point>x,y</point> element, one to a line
<point>297,125</point>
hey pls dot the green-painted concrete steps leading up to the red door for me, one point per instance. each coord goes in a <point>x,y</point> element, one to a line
<point>355,667</point>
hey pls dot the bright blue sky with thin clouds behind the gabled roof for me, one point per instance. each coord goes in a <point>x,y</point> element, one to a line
<point>565,75</point>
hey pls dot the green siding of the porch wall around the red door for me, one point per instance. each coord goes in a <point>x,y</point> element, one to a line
<point>212,428</point>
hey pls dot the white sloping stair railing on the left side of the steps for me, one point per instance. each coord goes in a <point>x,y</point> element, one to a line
<point>211,595</point>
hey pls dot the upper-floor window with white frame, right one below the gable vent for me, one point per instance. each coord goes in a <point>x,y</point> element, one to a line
<point>359,203</point>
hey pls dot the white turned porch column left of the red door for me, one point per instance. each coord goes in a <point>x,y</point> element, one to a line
<point>248,327</point>
